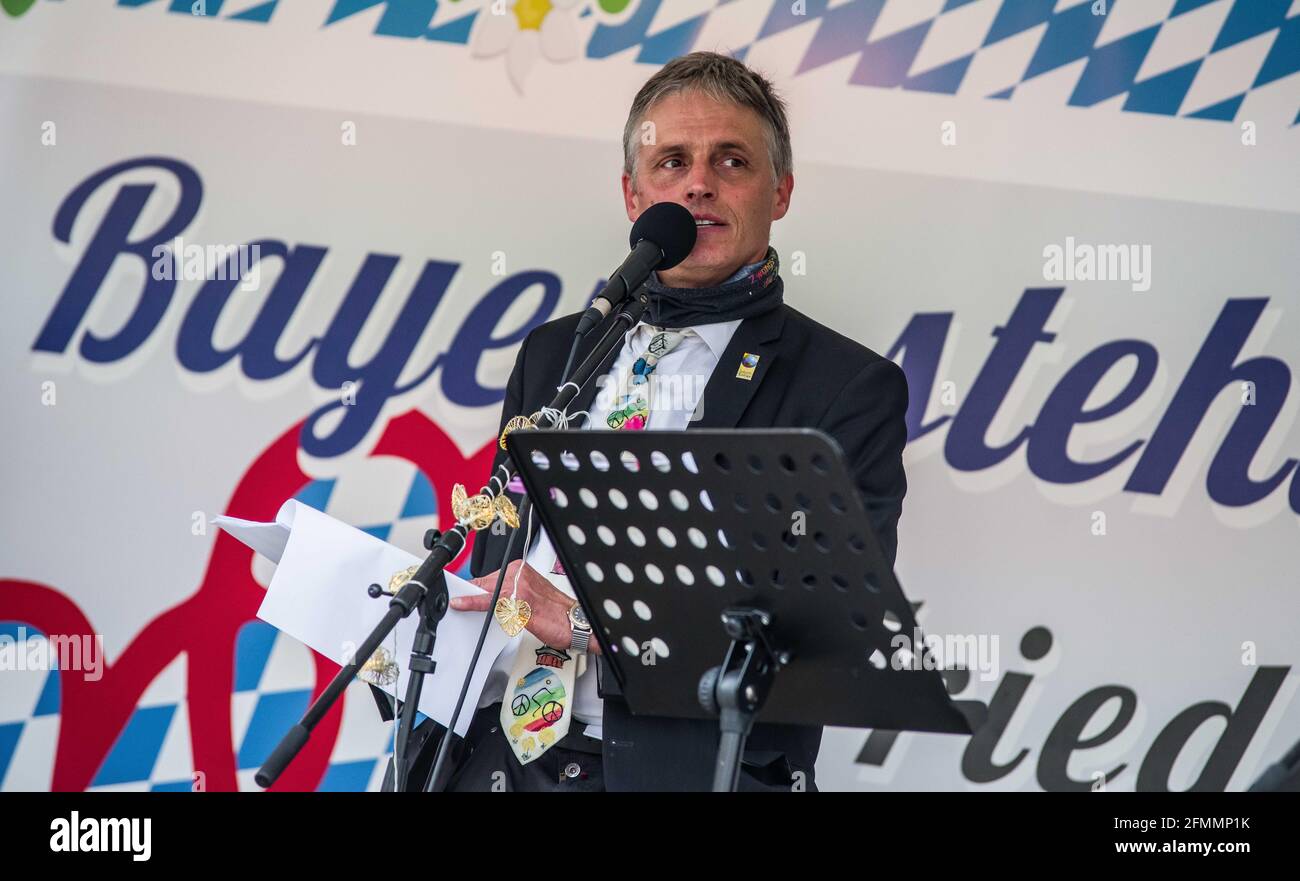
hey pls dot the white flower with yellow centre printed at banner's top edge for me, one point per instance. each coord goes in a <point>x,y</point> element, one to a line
<point>526,31</point>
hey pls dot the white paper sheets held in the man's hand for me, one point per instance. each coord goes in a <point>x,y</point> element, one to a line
<point>319,597</point>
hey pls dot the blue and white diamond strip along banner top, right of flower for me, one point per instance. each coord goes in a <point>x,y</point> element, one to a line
<point>1175,58</point>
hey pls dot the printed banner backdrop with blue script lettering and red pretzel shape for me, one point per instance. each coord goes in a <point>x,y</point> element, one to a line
<point>1074,224</point>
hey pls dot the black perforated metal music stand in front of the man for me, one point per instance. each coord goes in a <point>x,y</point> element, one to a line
<point>734,575</point>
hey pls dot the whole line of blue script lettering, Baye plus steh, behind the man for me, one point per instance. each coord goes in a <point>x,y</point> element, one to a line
<point>920,348</point>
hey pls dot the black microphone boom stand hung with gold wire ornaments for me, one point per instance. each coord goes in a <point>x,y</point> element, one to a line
<point>427,591</point>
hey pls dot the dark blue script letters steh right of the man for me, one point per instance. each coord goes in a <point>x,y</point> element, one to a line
<point>1214,370</point>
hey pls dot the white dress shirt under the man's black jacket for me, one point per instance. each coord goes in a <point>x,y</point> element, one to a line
<point>677,387</point>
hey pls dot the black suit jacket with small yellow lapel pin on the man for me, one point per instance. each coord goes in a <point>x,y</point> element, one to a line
<point>808,376</point>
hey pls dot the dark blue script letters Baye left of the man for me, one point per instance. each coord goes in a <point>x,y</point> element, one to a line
<point>376,381</point>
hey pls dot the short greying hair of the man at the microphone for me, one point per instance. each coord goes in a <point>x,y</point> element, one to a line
<point>723,80</point>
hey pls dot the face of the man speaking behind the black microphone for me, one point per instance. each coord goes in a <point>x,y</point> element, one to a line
<point>713,159</point>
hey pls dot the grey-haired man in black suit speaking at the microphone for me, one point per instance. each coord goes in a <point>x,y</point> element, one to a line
<point>710,134</point>
